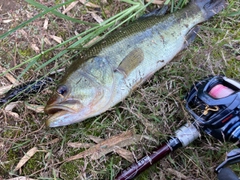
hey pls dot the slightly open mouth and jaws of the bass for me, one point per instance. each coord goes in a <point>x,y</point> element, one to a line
<point>62,113</point>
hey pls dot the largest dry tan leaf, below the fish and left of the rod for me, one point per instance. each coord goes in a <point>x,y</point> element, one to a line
<point>107,146</point>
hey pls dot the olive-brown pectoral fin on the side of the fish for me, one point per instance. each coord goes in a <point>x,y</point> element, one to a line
<point>130,62</point>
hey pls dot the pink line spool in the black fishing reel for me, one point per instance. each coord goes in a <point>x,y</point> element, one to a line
<point>220,91</point>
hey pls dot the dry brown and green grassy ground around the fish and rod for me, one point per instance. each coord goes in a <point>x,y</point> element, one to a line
<point>155,110</point>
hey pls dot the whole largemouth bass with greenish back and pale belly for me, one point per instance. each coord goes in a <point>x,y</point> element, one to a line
<point>108,71</point>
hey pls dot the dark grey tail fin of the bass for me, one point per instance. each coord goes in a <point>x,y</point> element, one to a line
<point>210,7</point>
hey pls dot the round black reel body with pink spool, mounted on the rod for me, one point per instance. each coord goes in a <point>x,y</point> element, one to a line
<point>218,116</point>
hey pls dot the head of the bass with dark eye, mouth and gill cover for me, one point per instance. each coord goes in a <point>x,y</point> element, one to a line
<point>73,101</point>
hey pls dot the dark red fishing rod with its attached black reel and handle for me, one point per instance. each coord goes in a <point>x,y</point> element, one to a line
<point>214,104</point>
